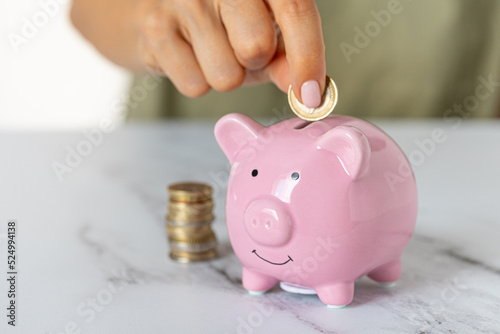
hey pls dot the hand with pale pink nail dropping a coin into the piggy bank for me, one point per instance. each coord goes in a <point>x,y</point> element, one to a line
<point>224,44</point>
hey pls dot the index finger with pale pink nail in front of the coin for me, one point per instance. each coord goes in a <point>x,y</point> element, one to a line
<point>300,24</point>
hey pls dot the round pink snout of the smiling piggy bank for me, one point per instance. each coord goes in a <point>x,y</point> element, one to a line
<point>268,223</point>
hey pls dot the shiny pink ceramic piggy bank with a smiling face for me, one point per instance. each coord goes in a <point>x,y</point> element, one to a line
<point>316,205</point>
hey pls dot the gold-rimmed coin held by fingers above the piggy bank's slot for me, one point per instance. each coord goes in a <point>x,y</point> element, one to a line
<point>329,101</point>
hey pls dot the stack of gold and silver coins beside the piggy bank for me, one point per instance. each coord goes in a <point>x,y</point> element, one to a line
<point>189,222</point>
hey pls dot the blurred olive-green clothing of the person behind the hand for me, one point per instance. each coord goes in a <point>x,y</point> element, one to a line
<point>388,58</point>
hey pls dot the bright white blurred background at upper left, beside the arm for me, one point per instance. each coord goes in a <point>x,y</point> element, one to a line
<point>54,79</point>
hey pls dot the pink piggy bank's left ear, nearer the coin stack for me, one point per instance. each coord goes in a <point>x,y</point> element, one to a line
<point>233,131</point>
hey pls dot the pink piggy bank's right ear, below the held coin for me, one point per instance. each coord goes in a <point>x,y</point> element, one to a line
<point>351,147</point>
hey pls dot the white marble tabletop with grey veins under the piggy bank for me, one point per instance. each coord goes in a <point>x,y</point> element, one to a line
<point>92,249</point>
